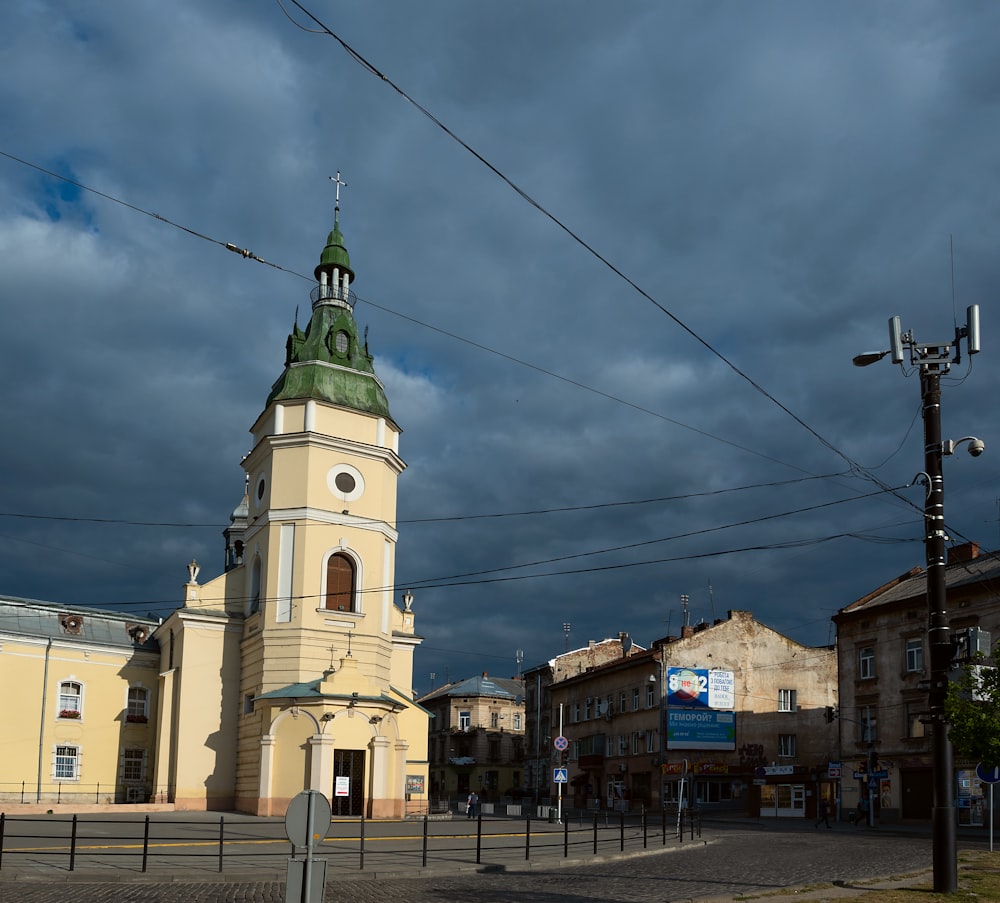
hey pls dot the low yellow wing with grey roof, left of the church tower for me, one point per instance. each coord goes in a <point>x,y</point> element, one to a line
<point>81,705</point>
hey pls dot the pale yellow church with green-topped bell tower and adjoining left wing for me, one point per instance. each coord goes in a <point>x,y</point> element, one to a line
<point>290,670</point>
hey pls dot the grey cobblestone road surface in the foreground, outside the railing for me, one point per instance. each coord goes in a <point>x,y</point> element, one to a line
<point>727,862</point>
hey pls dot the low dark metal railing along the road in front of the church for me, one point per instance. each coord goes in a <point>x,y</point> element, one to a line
<point>174,841</point>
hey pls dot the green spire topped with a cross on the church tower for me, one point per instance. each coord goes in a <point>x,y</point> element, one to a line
<point>328,361</point>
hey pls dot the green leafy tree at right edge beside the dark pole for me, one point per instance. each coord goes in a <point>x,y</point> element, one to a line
<point>973,710</point>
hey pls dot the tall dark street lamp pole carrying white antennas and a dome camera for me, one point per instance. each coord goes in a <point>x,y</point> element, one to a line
<point>934,360</point>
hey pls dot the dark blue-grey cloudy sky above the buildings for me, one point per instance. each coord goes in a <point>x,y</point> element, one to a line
<point>614,261</point>
